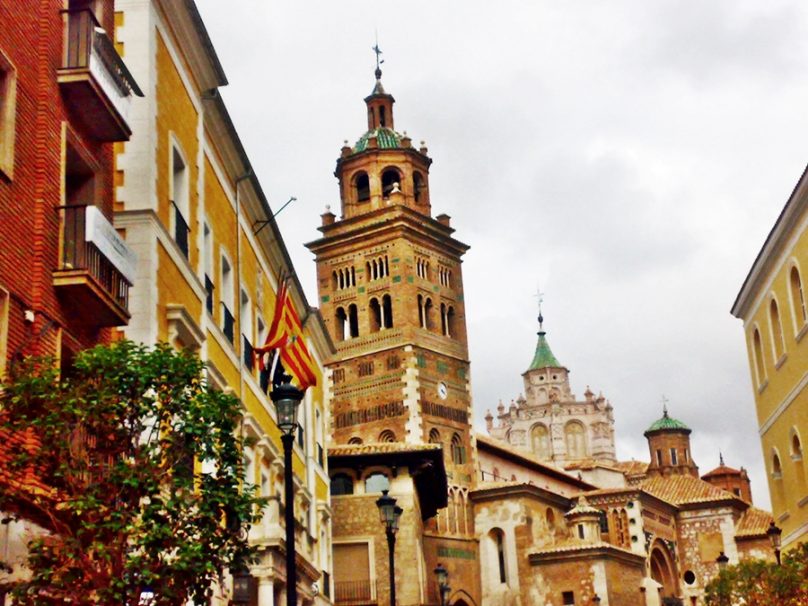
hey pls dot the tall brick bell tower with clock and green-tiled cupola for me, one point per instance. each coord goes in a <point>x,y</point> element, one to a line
<point>391,292</point>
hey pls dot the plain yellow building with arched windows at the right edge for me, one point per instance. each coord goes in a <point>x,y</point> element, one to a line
<point>772,305</point>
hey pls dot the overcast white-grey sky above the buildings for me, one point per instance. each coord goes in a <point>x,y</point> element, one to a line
<point>629,156</point>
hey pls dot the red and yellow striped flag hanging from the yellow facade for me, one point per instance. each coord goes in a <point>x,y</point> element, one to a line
<point>286,335</point>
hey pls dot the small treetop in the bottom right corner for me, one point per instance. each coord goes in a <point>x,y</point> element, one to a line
<point>763,583</point>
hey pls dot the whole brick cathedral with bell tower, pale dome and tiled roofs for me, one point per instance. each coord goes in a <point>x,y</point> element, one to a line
<point>539,511</point>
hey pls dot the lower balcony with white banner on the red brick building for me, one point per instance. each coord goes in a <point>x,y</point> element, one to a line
<point>97,268</point>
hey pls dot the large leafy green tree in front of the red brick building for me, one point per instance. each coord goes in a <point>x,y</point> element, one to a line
<point>142,467</point>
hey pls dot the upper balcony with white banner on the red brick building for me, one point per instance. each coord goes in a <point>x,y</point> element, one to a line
<point>94,80</point>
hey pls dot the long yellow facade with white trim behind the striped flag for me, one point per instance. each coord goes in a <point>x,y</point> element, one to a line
<point>210,258</point>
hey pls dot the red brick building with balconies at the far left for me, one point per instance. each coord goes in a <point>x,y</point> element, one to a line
<point>64,97</point>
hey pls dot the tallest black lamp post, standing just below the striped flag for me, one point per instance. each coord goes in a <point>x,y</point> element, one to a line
<point>286,398</point>
